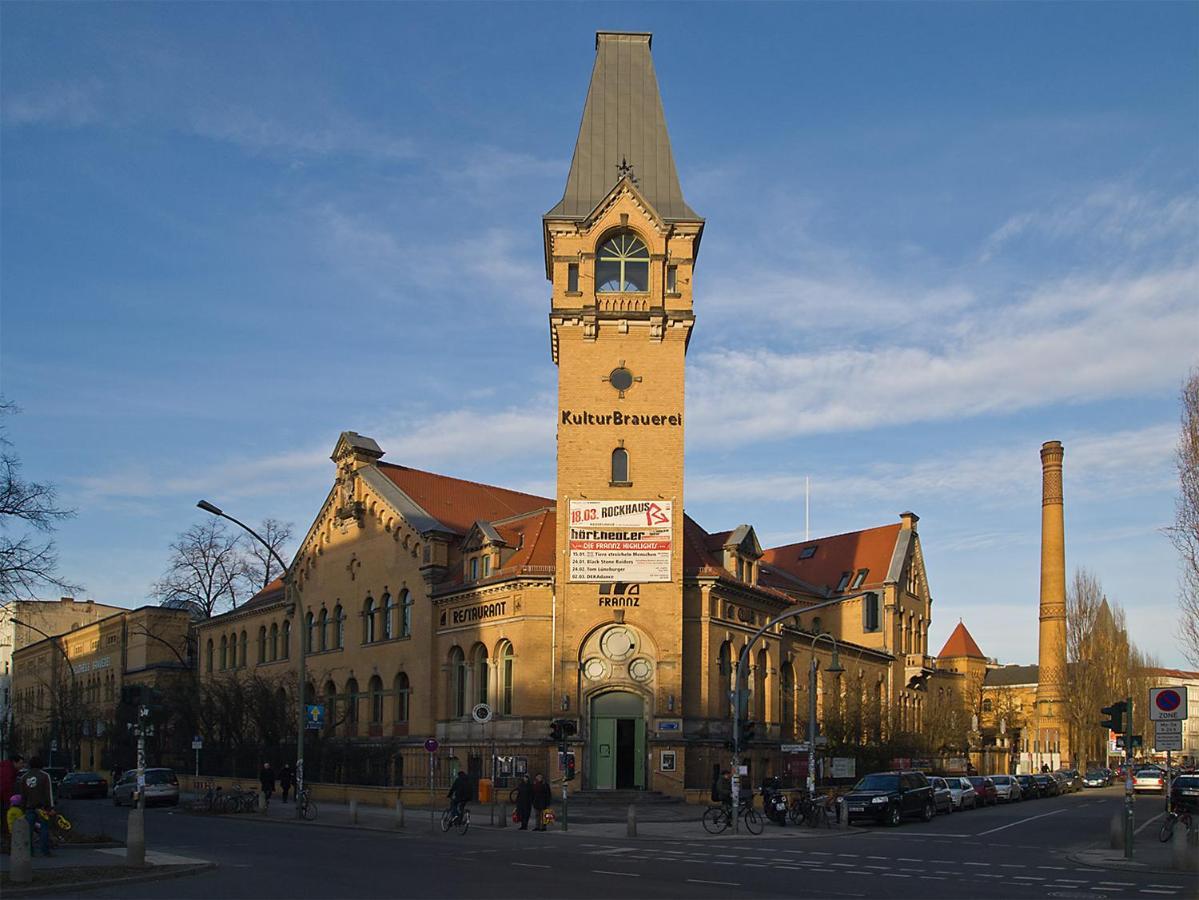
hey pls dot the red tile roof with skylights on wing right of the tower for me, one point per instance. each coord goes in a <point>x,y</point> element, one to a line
<point>823,561</point>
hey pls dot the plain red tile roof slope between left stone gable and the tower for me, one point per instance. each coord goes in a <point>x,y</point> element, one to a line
<point>460,504</point>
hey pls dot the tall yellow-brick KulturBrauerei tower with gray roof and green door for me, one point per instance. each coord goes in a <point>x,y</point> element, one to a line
<point>620,251</point>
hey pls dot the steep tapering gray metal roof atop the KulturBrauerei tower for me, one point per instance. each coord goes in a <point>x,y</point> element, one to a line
<point>623,124</point>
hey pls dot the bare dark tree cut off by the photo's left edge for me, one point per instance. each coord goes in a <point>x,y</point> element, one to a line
<point>28,514</point>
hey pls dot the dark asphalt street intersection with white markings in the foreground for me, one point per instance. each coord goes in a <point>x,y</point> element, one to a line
<point>1013,851</point>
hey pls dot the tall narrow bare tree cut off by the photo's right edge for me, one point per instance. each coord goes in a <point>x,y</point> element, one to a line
<point>1185,534</point>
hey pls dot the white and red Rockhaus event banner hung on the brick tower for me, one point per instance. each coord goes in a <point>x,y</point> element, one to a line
<point>620,541</point>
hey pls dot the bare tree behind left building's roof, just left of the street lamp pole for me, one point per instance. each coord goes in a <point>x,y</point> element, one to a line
<point>207,570</point>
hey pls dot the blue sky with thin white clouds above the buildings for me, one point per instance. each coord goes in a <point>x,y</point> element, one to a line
<point>937,237</point>
